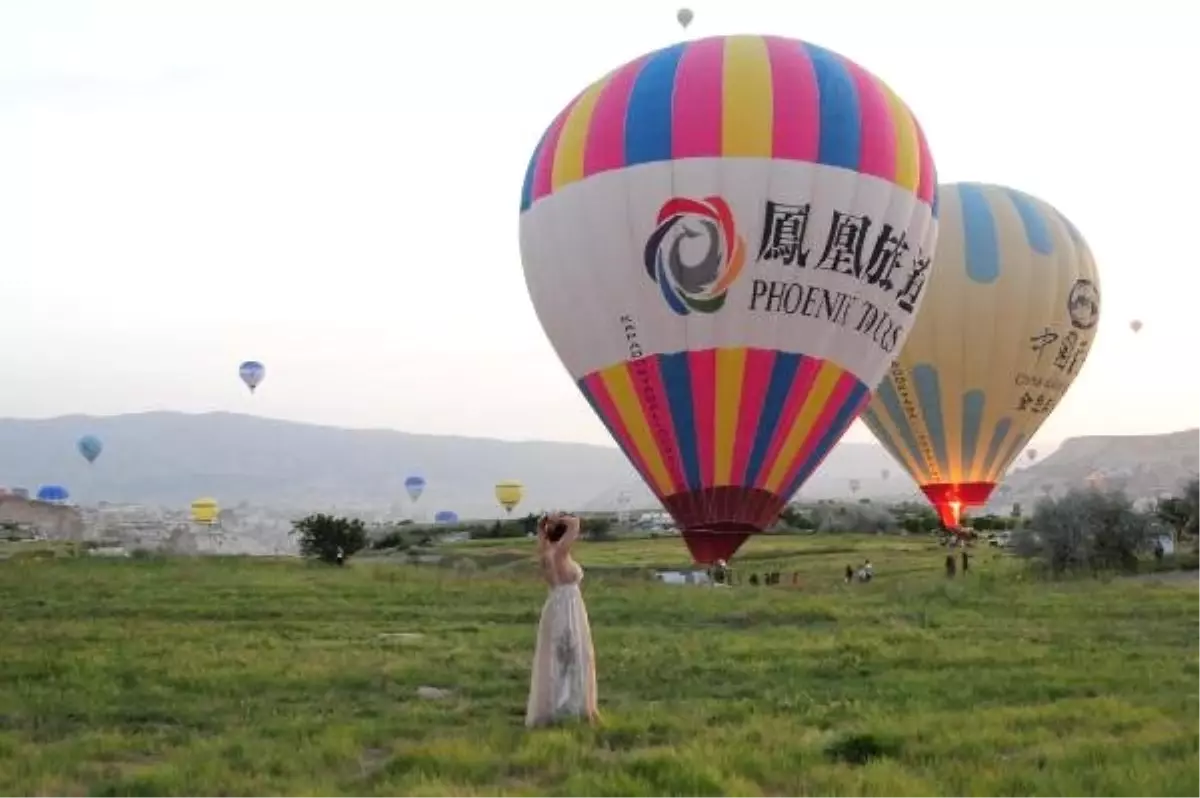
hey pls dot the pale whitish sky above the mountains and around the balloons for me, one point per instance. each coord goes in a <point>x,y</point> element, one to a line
<point>332,188</point>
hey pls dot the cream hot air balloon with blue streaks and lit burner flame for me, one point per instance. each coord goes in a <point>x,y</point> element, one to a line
<point>1007,327</point>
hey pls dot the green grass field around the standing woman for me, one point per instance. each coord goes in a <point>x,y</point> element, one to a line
<point>255,679</point>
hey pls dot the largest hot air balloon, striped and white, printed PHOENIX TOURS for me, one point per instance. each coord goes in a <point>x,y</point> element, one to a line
<point>727,243</point>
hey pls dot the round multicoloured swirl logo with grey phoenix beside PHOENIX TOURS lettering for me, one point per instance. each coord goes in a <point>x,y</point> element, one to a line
<point>697,286</point>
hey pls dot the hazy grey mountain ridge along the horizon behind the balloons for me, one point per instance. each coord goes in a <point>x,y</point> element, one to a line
<point>169,459</point>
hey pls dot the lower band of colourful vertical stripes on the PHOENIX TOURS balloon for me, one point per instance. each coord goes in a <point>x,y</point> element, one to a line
<point>723,418</point>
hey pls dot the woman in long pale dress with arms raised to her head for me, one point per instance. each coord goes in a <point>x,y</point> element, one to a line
<point>563,685</point>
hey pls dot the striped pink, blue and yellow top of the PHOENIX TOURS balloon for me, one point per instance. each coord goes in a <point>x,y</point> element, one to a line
<point>735,97</point>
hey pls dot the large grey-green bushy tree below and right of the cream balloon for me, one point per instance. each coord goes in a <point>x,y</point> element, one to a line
<point>1087,530</point>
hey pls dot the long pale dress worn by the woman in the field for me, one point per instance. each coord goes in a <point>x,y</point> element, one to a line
<point>563,683</point>
